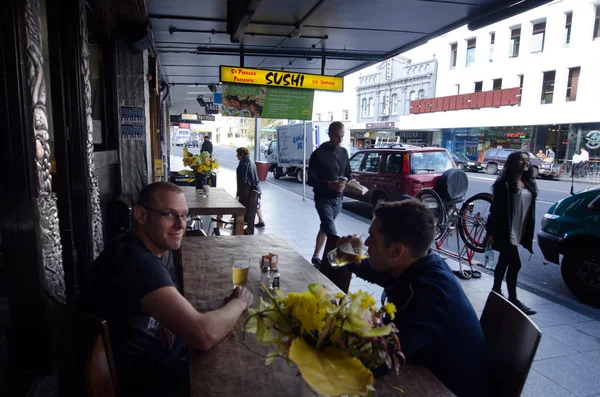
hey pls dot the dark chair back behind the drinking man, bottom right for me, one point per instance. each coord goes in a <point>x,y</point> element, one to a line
<point>512,340</point>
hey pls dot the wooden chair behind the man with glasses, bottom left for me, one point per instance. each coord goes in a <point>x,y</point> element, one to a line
<point>82,350</point>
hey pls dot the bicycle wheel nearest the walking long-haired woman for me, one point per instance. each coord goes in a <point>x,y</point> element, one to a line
<point>472,220</point>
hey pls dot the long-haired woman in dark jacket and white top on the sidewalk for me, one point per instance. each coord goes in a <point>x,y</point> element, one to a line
<point>511,221</point>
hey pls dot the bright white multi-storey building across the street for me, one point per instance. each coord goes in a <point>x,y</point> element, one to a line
<point>551,52</point>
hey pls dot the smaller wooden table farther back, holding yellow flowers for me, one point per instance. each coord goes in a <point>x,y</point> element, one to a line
<point>218,202</point>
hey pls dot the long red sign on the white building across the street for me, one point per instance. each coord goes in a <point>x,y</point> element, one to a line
<point>476,100</point>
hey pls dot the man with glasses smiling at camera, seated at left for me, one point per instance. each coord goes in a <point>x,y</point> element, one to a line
<point>150,322</point>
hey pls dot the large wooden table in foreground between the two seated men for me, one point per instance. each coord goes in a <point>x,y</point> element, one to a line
<point>235,367</point>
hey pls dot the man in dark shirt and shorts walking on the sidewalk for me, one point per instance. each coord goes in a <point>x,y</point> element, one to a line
<point>327,164</point>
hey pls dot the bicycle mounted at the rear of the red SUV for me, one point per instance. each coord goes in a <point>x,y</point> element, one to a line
<point>470,220</point>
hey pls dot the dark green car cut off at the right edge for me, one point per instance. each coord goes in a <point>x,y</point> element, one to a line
<point>571,228</point>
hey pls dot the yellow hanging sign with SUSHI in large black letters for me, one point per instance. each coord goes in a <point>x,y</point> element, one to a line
<point>278,78</point>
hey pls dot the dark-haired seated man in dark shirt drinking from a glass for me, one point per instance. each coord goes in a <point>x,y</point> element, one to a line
<point>437,325</point>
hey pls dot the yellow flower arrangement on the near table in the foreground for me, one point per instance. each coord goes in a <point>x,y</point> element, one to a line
<point>336,342</point>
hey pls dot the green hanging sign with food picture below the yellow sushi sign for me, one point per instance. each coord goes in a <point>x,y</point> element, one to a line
<point>267,102</point>
